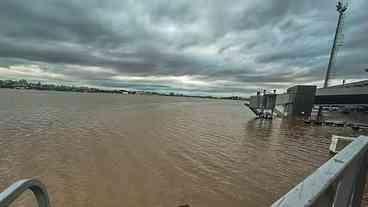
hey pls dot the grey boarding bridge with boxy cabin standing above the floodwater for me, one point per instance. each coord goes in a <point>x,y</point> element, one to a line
<point>299,100</point>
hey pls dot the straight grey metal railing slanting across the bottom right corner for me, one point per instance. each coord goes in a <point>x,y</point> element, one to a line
<point>339,182</point>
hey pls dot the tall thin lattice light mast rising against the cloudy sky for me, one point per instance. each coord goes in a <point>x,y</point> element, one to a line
<point>341,9</point>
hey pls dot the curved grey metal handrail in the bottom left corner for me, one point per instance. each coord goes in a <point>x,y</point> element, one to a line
<point>14,191</point>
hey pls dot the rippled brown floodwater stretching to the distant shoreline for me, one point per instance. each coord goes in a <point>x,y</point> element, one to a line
<point>132,150</point>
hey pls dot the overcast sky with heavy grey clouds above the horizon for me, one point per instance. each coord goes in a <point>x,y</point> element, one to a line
<point>199,47</point>
